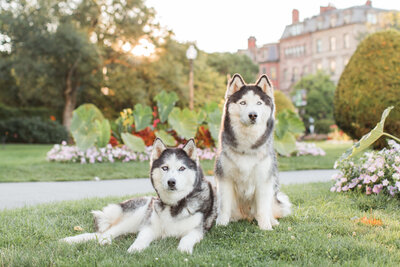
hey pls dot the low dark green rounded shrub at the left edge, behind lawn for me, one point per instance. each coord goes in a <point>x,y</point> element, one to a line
<point>32,130</point>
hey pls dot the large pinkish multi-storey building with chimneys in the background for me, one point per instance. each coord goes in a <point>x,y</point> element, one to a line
<point>324,42</point>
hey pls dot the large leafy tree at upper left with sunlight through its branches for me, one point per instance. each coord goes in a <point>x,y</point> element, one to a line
<point>59,48</point>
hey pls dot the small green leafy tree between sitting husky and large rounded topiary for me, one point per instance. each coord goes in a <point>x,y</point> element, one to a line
<point>320,91</point>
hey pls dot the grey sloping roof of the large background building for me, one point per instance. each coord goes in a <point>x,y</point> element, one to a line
<point>352,15</point>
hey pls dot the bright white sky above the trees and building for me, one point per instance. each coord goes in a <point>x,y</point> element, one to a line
<point>225,25</point>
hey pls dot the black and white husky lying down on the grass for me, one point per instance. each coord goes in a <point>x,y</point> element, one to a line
<point>185,207</point>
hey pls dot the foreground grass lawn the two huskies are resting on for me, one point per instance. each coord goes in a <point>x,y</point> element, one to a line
<point>320,232</point>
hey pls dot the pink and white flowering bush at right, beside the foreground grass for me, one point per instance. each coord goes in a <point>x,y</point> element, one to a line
<point>374,173</point>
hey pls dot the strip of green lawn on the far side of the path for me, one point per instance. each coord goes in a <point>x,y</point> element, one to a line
<point>23,163</point>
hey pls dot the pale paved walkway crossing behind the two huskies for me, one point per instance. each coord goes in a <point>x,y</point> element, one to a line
<point>14,195</point>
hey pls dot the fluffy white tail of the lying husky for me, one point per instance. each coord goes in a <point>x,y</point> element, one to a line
<point>109,216</point>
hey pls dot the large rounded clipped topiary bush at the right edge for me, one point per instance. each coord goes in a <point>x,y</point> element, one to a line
<point>369,84</point>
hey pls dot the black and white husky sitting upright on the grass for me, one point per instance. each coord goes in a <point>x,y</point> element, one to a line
<point>246,168</point>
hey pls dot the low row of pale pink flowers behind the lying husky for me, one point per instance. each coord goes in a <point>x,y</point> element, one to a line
<point>65,153</point>
